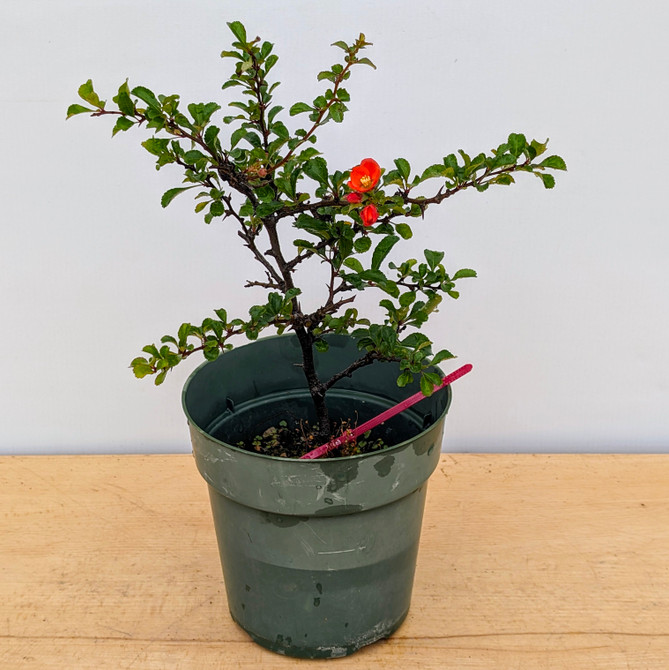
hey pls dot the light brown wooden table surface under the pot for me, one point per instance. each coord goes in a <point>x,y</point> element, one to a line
<point>526,562</point>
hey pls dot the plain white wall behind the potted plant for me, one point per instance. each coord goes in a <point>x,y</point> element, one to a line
<point>566,324</point>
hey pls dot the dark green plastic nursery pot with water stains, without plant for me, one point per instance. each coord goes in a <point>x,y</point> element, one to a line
<point>318,556</point>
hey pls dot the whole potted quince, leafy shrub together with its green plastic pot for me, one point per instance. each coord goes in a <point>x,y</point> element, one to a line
<point>318,554</point>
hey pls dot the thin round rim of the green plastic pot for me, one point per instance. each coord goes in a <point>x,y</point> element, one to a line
<point>318,461</point>
